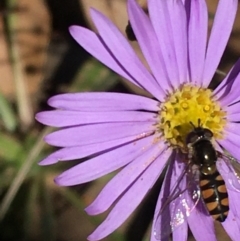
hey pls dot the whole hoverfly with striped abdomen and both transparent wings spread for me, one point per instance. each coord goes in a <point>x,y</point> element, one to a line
<point>200,180</point>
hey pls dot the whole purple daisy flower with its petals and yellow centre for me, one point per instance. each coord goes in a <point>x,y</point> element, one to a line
<point>144,135</point>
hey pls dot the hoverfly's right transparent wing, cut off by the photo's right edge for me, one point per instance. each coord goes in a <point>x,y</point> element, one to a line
<point>232,171</point>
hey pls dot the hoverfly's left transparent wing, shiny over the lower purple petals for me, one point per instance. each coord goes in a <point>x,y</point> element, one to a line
<point>183,197</point>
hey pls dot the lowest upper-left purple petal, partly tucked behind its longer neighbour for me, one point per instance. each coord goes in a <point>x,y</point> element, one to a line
<point>93,44</point>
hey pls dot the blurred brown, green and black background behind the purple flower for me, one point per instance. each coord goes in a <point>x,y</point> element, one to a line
<point>38,59</point>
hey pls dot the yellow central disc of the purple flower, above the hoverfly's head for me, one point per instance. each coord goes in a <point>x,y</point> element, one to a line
<point>185,106</point>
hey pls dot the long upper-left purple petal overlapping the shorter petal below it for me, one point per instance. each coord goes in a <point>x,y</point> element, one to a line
<point>124,53</point>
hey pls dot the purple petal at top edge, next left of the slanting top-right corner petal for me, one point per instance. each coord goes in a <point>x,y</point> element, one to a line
<point>197,38</point>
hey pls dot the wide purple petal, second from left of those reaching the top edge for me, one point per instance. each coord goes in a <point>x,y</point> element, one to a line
<point>160,18</point>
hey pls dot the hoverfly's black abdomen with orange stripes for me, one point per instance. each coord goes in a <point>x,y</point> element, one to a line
<point>215,196</point>
